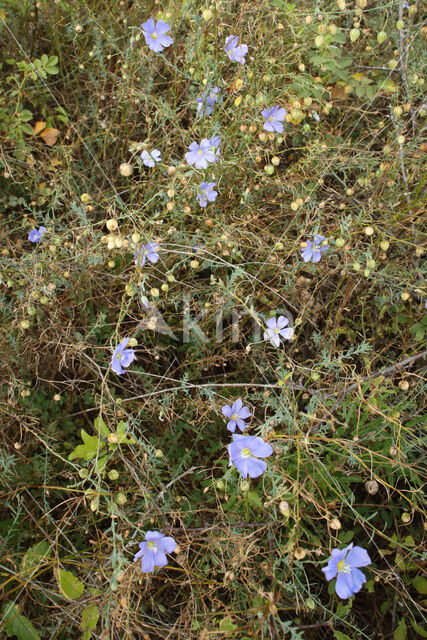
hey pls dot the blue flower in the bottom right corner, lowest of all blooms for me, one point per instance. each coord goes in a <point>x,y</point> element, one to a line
<point>346,563</point>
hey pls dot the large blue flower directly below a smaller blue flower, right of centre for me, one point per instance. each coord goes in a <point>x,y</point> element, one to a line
<point>245,452</point>
